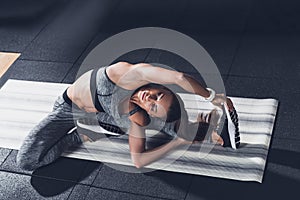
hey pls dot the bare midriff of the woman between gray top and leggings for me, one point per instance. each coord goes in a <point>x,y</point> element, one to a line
<point>80,94</point>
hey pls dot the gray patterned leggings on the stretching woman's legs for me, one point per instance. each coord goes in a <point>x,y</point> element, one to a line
<point>51,137</point>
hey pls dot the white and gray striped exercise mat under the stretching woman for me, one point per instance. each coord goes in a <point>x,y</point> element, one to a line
<point>24,103</point>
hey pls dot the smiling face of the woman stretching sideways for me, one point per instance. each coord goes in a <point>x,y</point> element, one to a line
<point>155,101</point>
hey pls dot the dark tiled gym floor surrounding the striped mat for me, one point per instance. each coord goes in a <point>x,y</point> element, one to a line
<point>255,44</point>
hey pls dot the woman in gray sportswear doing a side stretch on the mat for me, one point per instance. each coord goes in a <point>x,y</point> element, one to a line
<point>122,94</point>
